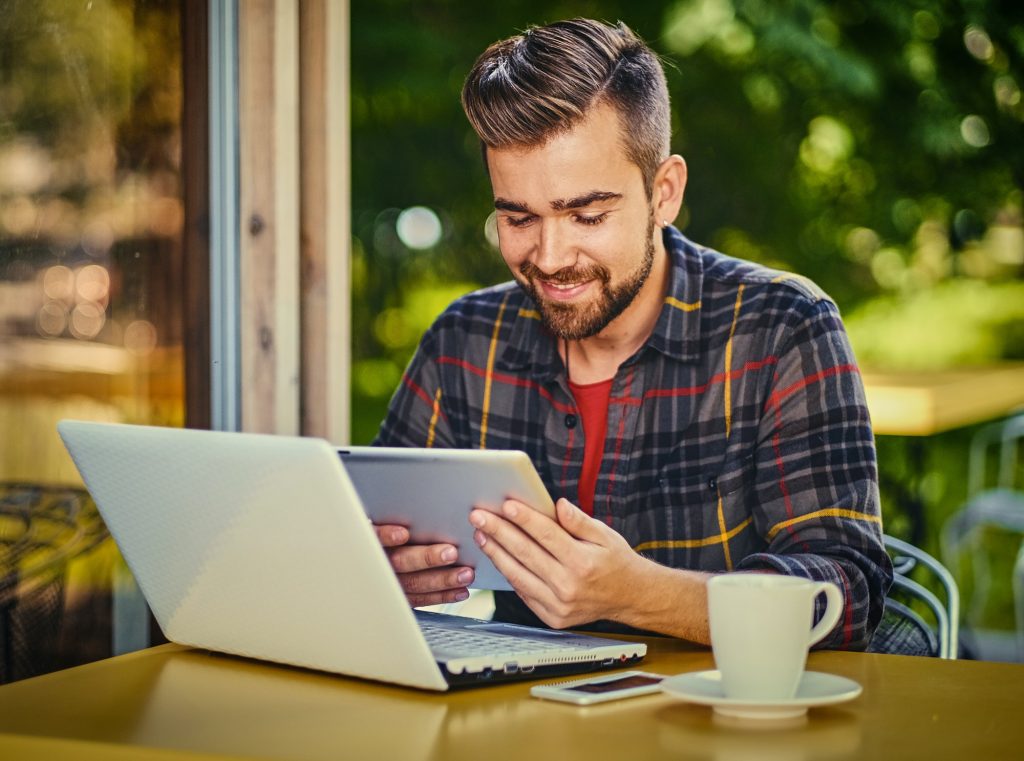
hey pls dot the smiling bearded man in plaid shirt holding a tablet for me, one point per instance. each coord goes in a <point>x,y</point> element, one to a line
<point>692,414</point>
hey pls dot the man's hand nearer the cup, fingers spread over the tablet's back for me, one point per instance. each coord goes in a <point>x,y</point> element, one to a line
<point>572,572</point>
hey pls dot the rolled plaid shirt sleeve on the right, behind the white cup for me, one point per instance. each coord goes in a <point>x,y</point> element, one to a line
<point>817,499</point>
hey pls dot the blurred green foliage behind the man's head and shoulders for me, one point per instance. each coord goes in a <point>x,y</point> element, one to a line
<point>874,147</point>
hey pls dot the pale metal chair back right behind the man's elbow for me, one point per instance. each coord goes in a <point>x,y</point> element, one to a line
<point>944,642</point>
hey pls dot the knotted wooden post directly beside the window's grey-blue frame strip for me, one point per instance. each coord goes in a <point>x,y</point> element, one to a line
<point>269,93</point>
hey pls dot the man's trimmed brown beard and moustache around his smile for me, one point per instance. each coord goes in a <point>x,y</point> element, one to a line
<point>576,322</point>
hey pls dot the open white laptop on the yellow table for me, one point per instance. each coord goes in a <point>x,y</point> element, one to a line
<point>259,546</point>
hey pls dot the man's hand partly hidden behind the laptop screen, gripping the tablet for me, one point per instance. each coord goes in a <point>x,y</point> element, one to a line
<point>425,572</point>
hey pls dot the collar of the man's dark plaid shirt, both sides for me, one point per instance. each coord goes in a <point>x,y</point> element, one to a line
<point>677,333</point>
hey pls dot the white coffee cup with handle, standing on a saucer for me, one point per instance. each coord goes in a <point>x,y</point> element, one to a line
<point>761,631</point>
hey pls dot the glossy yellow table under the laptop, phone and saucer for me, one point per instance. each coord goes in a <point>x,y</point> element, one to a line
<point>176,703</point>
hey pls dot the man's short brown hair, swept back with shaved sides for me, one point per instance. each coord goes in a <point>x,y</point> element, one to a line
<point>525,91</point>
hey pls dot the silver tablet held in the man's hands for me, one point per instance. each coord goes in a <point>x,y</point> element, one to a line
<point>432,492</point>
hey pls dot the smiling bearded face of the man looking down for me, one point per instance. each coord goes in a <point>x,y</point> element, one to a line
<point>576,227</point>
